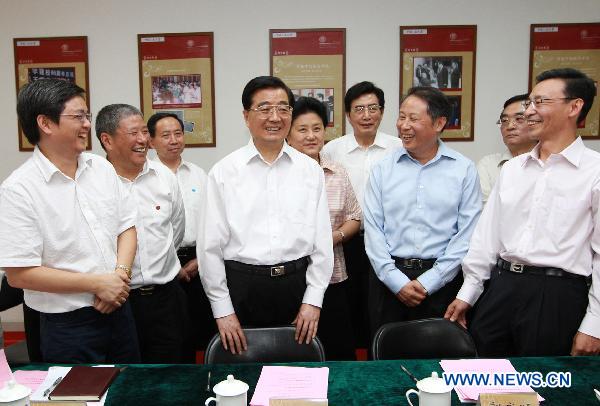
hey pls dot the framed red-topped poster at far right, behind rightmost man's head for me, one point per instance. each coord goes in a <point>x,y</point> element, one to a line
<point>568,46</point>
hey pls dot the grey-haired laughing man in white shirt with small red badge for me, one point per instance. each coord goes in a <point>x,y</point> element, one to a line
<point>157,300</point>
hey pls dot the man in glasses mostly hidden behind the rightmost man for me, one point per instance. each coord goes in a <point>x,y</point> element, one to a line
<point>515,135</point>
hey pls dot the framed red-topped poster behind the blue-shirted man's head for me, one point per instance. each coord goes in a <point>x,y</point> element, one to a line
<point>443,57</point>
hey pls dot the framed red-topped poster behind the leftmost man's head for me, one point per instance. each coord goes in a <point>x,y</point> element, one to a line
<point>63,58</point>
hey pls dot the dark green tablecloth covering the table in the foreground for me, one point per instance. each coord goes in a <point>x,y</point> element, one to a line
<point>350,383</point>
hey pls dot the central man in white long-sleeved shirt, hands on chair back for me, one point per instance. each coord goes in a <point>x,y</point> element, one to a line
<point>264,237</point>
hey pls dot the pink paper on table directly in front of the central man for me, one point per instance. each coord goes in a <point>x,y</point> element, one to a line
<point>282,382</point>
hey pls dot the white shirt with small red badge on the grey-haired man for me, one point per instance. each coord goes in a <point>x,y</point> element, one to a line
<point>160,224</point>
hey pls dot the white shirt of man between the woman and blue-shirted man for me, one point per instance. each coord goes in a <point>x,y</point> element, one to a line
<point>358,160</point>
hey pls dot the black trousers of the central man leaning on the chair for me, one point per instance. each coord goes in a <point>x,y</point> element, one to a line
<point>265,301</point>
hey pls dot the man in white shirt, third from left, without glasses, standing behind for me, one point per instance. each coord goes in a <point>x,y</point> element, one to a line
<point>167,138</point>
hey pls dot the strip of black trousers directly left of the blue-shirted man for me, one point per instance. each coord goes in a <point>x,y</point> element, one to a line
<point>358,268</point>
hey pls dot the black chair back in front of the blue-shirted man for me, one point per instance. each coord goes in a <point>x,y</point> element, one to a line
<point>427,338</point>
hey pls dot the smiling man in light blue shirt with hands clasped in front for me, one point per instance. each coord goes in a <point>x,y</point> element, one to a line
<point>421,206</point>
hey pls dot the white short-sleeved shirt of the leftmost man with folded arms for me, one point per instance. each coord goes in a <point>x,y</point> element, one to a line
<point>48,219</point>
